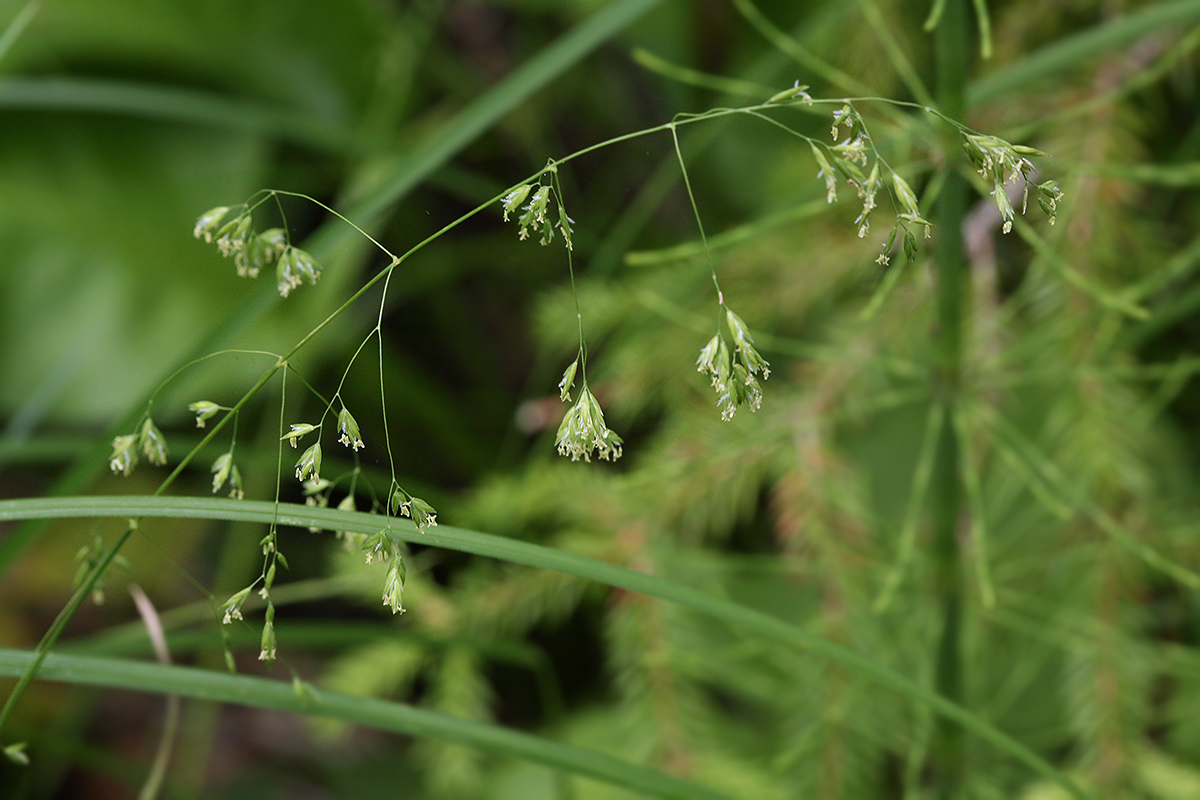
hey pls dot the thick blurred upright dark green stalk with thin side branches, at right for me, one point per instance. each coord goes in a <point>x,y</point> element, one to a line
<point>953,65</point>
